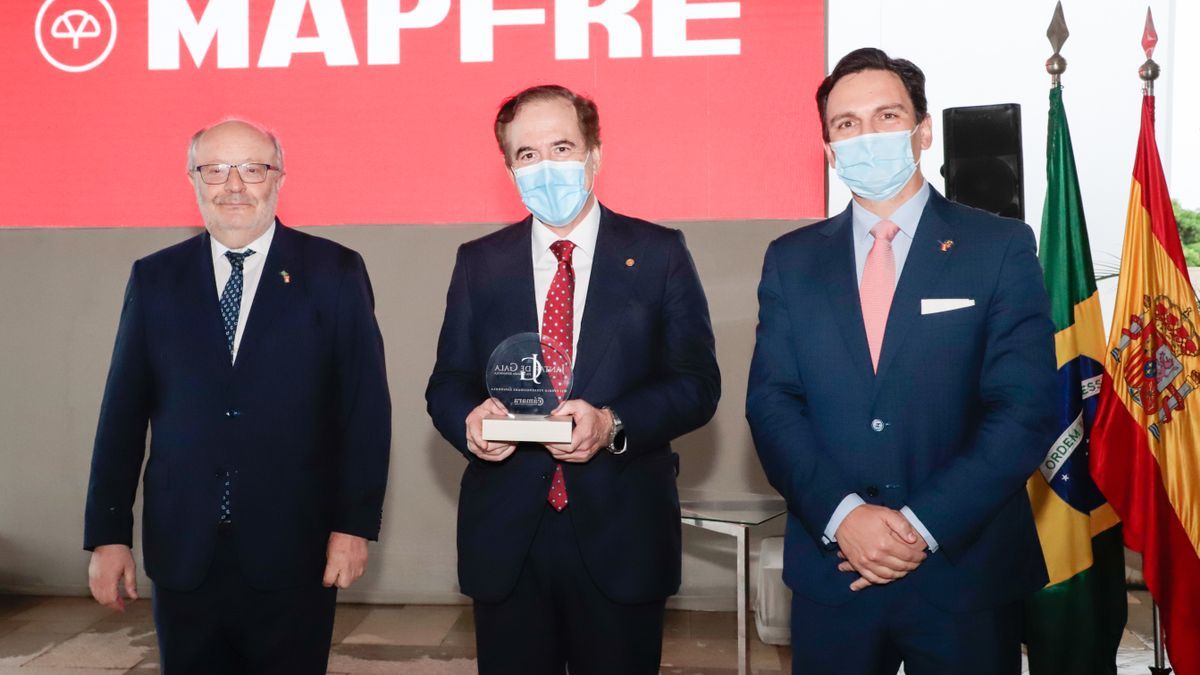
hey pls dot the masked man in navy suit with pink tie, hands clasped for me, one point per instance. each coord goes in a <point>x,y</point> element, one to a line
<point>901,395</point>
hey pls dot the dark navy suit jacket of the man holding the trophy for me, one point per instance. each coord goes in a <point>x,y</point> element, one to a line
<point>645,349</point>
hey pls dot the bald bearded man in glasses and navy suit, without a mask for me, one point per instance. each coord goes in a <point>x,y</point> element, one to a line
<point>254,354</point>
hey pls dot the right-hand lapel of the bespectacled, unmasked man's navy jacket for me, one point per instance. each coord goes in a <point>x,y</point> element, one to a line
<point>273,294</point>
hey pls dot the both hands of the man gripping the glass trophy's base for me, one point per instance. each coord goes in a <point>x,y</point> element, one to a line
<point>593,428</point>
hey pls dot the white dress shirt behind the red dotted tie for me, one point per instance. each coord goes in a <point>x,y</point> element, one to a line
<point>545,265</point>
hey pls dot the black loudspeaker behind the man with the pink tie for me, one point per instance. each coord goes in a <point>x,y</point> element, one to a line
<point>983,158</point>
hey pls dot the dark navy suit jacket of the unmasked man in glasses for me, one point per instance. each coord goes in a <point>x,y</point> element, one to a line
<point>303,420</point>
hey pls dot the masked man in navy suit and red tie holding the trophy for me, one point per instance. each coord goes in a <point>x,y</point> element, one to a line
<point>571,551</point>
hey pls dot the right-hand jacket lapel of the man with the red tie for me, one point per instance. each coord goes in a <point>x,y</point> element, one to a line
<point>609,292</point>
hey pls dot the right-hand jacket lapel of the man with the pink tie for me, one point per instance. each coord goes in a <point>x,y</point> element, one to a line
<point>922,268</point>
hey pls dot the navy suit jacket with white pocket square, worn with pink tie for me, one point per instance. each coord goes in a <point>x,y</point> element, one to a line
<point>964,402</point>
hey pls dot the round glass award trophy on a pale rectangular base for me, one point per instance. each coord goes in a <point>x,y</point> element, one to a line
<point>531,375</point>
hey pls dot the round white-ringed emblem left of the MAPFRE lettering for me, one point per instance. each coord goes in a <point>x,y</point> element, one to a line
<point>76,35</point>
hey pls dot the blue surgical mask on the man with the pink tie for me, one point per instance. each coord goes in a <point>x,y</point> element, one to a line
<point>875,166</point>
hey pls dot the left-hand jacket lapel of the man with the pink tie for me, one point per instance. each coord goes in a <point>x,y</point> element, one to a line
<point>842,283</point>
